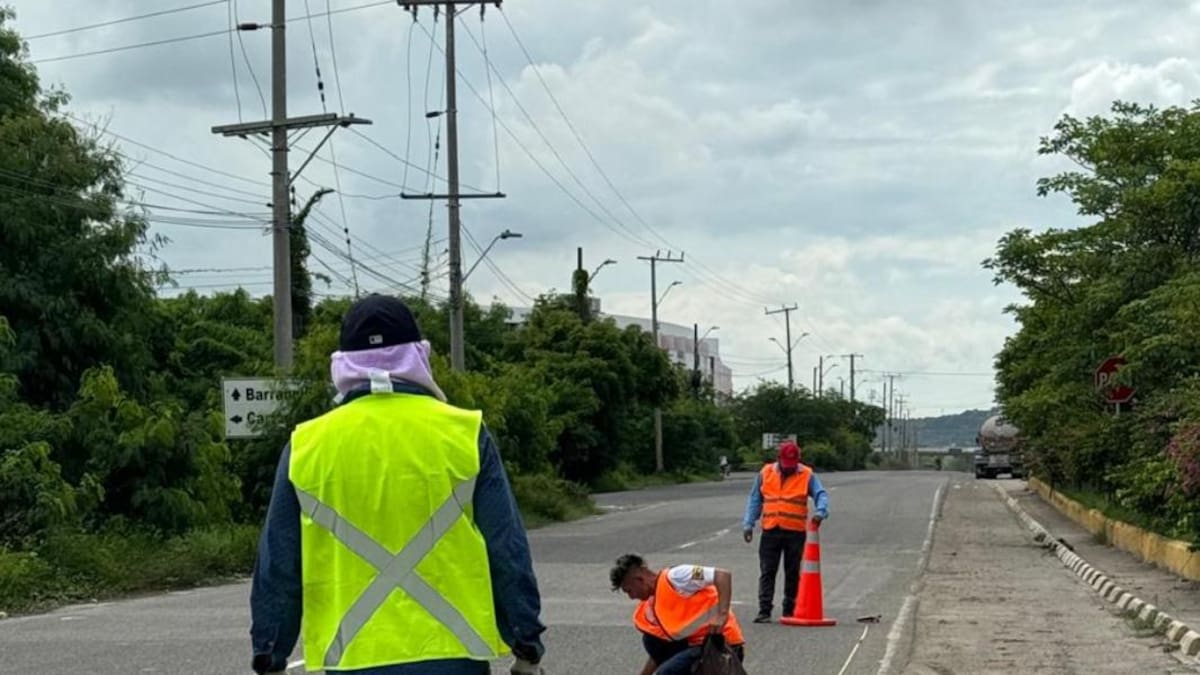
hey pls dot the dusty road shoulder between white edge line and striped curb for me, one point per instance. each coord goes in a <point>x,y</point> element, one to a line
<point>993,601</point>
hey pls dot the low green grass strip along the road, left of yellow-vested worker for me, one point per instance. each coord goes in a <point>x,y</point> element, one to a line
<point>71,566</point>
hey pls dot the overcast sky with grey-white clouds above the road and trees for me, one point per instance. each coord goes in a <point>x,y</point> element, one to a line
<point>859,159</point>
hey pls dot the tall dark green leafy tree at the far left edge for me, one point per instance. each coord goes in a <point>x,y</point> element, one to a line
<point>63,208</point>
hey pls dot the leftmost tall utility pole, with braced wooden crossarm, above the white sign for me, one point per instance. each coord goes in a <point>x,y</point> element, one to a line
<point>278,128</point>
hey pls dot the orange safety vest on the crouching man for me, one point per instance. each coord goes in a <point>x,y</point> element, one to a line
<point>673,617</point>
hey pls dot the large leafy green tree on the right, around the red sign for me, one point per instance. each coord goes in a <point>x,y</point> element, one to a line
<point>1125,285</point>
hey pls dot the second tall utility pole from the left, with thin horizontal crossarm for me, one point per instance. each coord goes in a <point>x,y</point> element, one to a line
<point>453,196</point>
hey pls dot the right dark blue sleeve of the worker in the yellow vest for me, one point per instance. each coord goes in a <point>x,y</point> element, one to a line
<point>514,586</point>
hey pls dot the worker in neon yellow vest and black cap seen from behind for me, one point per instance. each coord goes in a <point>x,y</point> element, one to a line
<point>393,529</point>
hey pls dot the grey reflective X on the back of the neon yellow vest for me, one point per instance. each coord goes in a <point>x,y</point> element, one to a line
<point>398,571</point>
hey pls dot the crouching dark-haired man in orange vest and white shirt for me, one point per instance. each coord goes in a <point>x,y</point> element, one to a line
<point>679,610</point>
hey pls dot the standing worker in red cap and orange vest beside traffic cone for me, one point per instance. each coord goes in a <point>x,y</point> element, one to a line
<point>781,495</point>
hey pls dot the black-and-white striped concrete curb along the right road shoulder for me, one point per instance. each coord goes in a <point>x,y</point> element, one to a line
<point>1187,638</point>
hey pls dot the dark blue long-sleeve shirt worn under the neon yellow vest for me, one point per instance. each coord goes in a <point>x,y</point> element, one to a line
<point>275,595</point>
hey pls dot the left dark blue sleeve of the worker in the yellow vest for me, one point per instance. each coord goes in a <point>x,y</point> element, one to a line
<point>275,592</point>
